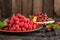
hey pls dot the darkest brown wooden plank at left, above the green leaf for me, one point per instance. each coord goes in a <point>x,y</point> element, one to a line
<point>6,8</point>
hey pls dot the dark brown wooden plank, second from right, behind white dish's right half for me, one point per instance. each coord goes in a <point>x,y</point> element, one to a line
<point>49,7</point>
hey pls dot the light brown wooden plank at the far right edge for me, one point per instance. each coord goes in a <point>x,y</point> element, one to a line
<point>57,8</point>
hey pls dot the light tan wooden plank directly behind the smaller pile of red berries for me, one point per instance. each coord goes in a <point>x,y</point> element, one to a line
<point>37,6</point>
